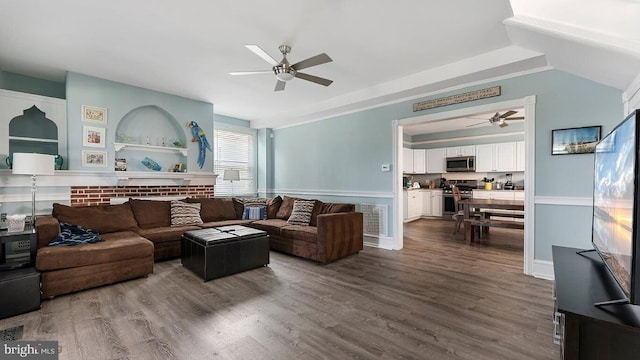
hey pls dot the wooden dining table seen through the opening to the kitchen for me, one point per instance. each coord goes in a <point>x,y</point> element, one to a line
<point>472,205</point>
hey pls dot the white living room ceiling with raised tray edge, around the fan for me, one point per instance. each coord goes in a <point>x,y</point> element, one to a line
<point>382,51</point>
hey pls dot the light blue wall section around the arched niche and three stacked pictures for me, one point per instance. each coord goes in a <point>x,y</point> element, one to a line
<point>119,99</point>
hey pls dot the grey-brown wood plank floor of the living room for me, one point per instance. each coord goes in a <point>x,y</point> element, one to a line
<point>436,299</point>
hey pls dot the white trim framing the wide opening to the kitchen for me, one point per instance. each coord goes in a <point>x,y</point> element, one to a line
<point>528,103</point>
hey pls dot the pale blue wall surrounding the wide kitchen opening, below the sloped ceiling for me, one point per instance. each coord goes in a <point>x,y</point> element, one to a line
<point>345,153</point>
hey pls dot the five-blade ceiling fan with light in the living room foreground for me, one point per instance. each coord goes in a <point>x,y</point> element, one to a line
<point>285,71</point>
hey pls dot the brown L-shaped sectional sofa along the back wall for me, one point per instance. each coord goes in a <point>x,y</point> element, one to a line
<point>139,232</point>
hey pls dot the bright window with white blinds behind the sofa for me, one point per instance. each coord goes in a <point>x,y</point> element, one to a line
<point>235,149</point>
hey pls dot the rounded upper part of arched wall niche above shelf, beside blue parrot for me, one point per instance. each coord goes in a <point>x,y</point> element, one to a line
<point>153,122</point>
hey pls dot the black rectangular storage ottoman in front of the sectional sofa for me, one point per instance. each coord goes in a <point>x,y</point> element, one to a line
<point>218,252</point>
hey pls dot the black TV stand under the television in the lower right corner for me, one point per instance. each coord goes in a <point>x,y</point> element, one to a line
<point>583,330</point>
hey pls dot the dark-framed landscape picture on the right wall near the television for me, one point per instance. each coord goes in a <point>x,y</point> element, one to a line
<point>575,140</point>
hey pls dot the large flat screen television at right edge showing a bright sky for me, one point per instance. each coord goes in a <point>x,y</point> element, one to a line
<point>616,206</point>
